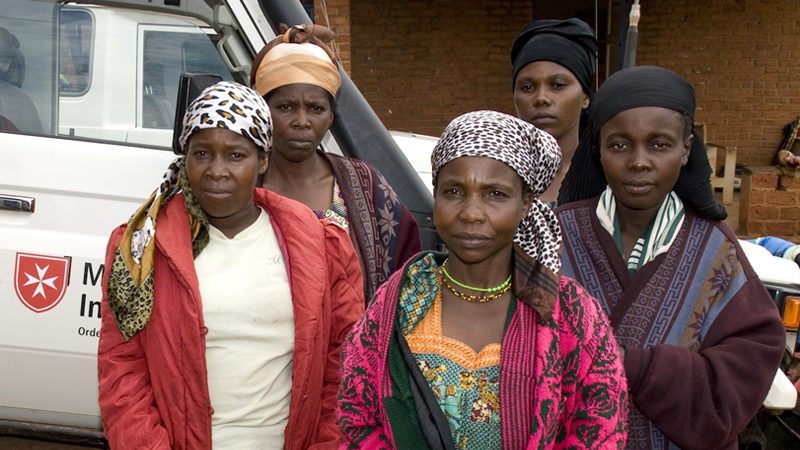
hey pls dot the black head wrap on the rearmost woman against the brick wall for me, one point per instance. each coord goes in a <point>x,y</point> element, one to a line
<point>570,43</point>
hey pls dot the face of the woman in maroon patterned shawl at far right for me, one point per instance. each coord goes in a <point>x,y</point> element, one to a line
<point>642,151</point>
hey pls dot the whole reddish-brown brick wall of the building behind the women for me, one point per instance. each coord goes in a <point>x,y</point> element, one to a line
<point>421,62</point>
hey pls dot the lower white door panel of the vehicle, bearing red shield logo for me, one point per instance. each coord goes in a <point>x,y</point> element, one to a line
<point>74,214</point>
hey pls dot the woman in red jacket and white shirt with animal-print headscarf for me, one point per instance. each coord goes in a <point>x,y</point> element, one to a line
<point>225,304</point>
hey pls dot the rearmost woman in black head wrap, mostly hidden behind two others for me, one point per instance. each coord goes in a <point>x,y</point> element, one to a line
<point>553,67</point>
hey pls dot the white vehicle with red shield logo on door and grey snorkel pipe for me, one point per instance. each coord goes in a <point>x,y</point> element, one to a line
<point>87,106</point>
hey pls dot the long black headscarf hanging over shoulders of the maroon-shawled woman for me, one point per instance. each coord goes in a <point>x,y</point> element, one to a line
<point>632,88</point>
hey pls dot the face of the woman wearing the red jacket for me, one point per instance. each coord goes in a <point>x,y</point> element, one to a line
<point>222,167</point>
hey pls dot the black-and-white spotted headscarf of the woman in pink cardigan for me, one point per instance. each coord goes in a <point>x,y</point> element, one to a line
<point>532,153</point>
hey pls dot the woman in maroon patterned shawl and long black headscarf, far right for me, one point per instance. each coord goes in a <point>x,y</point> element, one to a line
<point>700,337</point>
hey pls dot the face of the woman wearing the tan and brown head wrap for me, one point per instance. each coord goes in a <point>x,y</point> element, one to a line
<point>301,114</point>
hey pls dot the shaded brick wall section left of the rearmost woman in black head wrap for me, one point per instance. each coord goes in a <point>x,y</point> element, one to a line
<point>422,62</point>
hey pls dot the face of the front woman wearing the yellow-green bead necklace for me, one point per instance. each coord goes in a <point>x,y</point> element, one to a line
<point>477,205</point>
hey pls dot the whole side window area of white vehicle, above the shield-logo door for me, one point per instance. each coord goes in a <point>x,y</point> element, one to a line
<point>98,72</point>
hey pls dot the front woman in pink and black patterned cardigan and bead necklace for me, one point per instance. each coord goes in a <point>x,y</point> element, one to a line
<point>488,347</point>
